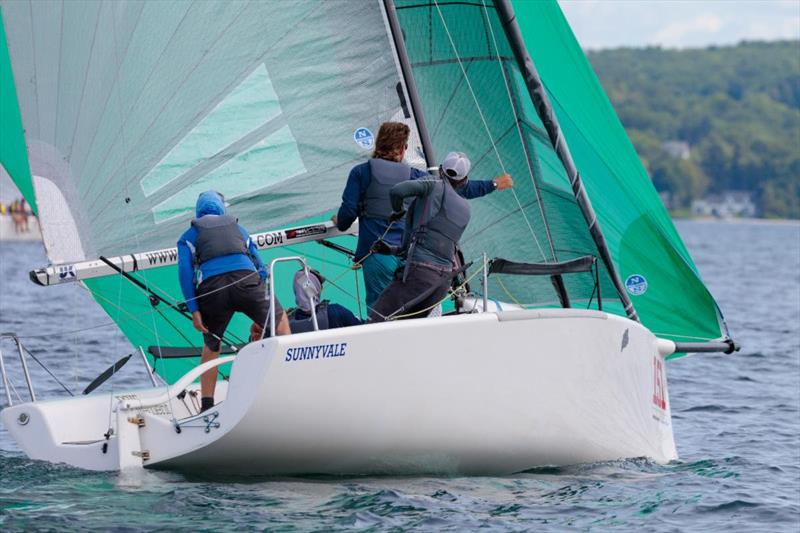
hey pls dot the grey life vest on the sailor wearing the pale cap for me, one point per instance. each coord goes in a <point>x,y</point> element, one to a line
<point>438,233</point>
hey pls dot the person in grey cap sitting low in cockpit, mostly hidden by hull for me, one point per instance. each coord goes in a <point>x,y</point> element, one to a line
<point>307,290</point>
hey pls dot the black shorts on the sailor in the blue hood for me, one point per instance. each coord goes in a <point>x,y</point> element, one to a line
<point>240,291</point>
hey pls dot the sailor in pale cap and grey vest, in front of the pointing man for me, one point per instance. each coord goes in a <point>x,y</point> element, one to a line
<point>436,219</point>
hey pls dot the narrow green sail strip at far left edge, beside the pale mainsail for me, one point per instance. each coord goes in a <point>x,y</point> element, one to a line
<point>13,155</point>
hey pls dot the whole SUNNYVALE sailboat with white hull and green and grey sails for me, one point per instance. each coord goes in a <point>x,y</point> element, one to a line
<point>550,350</point>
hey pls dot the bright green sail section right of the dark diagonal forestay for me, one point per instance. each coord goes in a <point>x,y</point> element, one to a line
<point>642,239</point>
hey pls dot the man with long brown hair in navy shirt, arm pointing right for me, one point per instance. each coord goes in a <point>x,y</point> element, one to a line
<point>366,197</point>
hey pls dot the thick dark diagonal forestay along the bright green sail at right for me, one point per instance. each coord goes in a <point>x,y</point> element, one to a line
<point>546,113</point>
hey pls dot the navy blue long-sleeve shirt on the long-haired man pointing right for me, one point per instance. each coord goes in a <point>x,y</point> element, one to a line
<point>371,229</point>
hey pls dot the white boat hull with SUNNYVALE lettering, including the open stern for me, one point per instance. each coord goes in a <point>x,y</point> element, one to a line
<point>492,393</point>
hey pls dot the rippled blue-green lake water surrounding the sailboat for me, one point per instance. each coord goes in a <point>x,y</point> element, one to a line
<point>736,421</point>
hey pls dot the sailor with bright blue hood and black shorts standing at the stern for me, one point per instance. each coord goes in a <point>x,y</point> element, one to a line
<point>220,273</point>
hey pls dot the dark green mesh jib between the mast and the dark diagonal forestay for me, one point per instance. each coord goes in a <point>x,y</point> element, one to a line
<point>474,100</point>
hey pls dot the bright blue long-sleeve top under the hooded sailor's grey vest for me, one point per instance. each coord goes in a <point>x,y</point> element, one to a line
<point>213,267</point>
